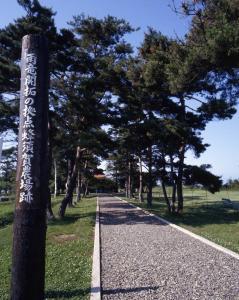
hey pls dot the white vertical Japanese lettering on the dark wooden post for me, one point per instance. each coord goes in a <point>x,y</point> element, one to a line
<point>28,133</point>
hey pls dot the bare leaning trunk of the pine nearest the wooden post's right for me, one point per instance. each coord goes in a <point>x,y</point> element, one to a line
<point>71,185</point>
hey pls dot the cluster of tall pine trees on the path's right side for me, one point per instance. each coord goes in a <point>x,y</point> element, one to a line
<point>174,89</point>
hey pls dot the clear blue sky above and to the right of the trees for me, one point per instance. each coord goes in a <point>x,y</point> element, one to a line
<point>223,152</point>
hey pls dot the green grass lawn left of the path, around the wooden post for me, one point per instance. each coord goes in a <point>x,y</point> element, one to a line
<point>68,255</point>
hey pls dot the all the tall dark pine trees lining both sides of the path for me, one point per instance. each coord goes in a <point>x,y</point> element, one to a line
<point>141,111</point>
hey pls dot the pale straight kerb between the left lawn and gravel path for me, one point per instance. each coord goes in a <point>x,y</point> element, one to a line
<point>96,269</point>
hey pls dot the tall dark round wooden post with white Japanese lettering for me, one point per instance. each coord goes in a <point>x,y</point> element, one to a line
<point>29,230</point>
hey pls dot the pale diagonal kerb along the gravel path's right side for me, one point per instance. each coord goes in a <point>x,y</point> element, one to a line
<point>198,237</point>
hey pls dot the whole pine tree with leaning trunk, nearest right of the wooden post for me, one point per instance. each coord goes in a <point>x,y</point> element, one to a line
<point>85,90</point>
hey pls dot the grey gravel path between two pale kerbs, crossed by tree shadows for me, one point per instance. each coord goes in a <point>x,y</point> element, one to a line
<point>145,259</point>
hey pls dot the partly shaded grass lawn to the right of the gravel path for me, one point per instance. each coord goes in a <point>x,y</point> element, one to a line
<point>204,215</point>
